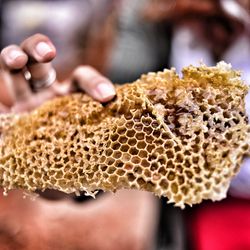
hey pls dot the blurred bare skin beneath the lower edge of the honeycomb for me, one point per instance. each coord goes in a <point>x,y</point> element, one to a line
<point>127,219</point>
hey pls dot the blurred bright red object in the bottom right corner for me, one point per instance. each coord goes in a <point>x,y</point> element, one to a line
<point>221,225</point>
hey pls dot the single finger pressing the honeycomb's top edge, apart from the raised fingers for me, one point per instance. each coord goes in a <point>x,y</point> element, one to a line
<point>96,85</point>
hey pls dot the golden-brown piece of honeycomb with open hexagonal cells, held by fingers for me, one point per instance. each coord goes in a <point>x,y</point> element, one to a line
<point>181,138</point>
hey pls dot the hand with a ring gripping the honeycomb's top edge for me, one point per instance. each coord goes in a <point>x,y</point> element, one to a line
<point>34,55</point>
